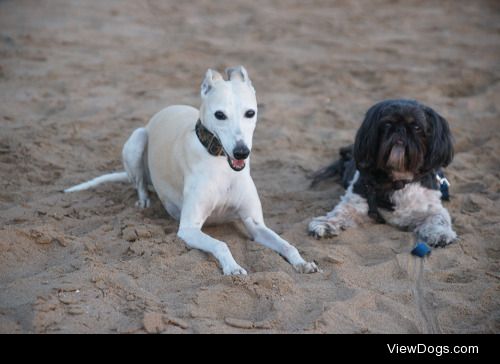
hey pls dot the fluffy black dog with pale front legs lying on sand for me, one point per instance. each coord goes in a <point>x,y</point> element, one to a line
<point>394,165</point>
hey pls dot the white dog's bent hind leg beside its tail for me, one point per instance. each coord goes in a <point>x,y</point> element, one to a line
<point>133,154</point>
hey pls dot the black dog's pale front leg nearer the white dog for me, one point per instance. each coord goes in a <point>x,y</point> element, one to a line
<point>351,210</point>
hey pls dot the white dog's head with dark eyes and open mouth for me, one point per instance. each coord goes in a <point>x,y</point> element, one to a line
<point>229,111</point>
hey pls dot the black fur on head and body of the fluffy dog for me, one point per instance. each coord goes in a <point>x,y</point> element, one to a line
<point>399,142</point>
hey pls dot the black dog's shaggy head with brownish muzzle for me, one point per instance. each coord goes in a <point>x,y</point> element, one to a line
<point>402,138</point>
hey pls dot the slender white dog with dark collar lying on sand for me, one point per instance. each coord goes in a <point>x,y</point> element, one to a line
<point>195,160</point>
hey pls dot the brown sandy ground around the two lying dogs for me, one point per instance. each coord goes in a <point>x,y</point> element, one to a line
<point>76,77</point>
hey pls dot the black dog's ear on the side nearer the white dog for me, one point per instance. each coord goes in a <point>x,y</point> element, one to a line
<point>366,143</point>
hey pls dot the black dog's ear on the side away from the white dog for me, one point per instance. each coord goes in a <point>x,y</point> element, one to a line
<point>439,140</point>
